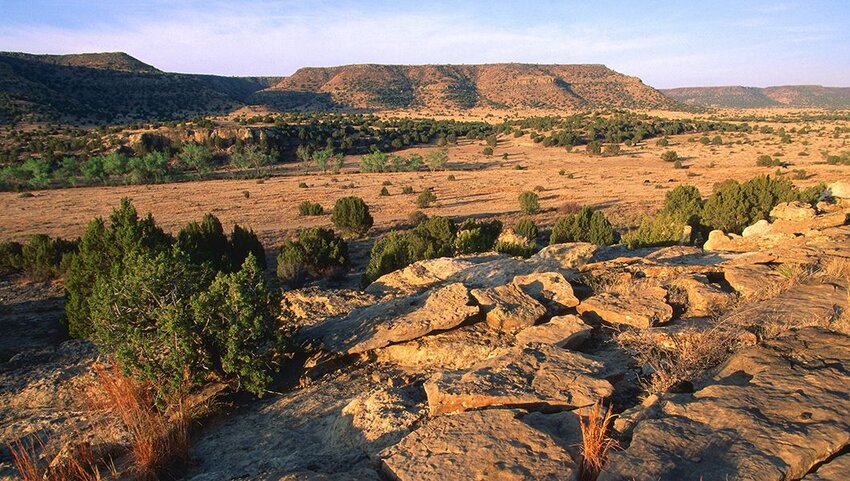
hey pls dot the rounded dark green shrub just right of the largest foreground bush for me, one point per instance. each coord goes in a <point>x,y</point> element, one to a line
<point>317,251</point>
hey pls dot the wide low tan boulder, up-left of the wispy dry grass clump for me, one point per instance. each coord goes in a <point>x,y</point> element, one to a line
<point>644,307</point>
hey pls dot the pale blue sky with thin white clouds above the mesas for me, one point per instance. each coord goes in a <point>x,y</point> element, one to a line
<point>666,43</point>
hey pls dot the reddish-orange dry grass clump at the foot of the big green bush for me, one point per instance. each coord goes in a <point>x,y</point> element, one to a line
<point>158,438</point>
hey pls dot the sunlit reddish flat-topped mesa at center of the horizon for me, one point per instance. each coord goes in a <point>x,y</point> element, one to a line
<point>502,86</point>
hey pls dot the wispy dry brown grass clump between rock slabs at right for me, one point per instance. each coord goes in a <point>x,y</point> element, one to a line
<point>682,355</point>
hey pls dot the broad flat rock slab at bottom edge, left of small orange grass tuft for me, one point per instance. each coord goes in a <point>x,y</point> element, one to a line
<point>492,444</point>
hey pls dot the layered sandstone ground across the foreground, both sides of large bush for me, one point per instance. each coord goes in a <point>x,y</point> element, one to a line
<point>730,362</point>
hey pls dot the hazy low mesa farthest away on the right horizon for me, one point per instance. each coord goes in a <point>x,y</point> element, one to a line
<point>814,96</point>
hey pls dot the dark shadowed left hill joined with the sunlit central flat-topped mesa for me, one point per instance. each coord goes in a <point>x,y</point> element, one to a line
<point>115,87</point>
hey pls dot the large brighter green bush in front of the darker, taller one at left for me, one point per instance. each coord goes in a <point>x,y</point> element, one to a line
<point>226,326</point>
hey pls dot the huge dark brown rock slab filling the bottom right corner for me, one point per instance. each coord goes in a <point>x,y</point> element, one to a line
<point>771,413</point>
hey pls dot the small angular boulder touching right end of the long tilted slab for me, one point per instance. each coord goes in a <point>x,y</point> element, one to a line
<point>508,307</point>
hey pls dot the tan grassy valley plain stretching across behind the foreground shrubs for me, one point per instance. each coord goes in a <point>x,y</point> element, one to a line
<point>625,187</point>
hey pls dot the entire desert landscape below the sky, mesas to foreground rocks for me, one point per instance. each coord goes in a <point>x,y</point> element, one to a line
<point>496,271</point>
